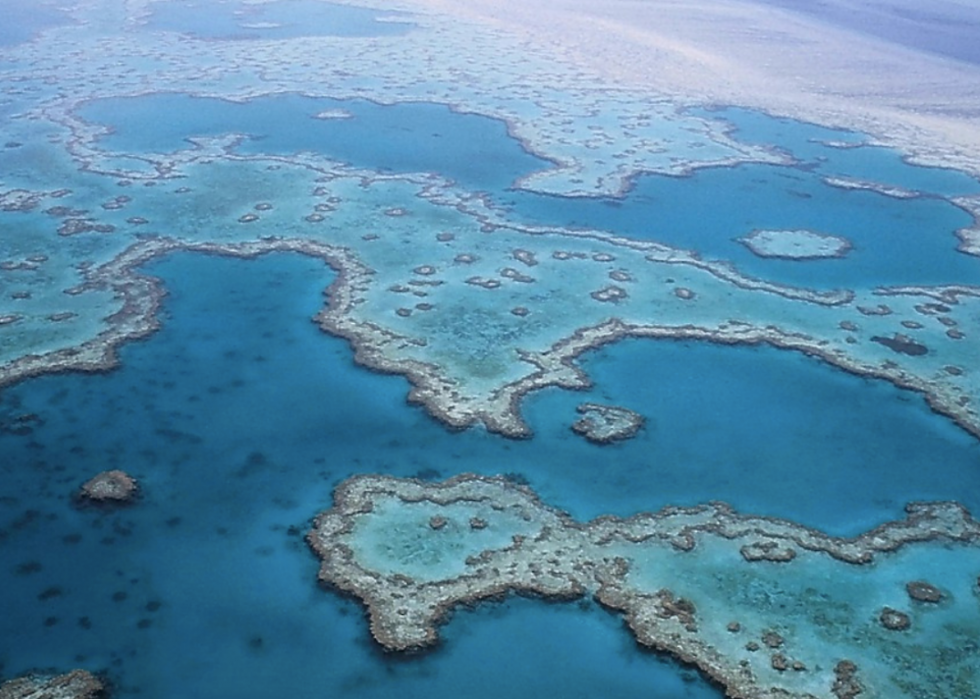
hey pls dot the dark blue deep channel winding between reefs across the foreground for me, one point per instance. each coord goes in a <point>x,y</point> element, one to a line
<point>239,417</point>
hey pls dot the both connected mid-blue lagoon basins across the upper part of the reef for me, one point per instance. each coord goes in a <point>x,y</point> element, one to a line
<point>895,241</point>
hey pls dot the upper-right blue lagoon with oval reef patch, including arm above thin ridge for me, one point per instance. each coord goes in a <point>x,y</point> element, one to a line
<point>896,241</point>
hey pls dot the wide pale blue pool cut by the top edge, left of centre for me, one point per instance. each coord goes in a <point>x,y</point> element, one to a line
<point>283,19</point>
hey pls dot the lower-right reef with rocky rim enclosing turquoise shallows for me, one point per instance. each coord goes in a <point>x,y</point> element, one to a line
<point>767,608</point>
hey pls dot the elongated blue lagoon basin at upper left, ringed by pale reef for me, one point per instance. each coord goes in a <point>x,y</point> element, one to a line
<point>474,151</point>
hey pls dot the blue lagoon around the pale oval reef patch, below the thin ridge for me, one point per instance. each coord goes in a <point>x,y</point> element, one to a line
<point>732,202</point>
